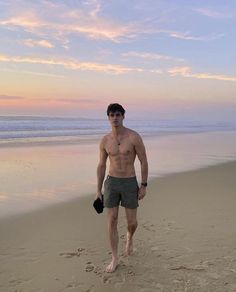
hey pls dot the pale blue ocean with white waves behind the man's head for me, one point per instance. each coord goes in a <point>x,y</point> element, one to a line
<point>20,130</point>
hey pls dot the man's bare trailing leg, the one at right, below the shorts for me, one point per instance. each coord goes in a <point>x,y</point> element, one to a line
<point>131,215</point>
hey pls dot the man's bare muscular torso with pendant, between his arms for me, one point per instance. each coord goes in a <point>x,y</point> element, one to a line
<point>121,152</point>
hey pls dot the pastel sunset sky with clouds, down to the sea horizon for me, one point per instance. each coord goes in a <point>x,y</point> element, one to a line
<point>165,59</point>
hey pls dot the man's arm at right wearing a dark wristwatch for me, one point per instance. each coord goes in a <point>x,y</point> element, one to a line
<point>141,153</point>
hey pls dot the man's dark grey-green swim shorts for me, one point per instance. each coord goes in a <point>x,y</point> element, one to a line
<point>122,191</point>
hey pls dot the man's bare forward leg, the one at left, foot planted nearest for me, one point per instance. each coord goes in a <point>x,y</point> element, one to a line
<point>112,214</point>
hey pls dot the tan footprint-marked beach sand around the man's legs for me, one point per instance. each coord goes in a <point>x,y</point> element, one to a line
<point>186,241</point>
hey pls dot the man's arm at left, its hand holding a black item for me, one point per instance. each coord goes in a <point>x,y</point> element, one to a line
<point>101,169</point>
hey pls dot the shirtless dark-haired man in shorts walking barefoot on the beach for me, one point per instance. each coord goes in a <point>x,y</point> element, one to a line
<point>121,187</point>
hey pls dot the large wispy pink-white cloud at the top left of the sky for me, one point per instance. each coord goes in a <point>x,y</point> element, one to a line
<point>69,21</point>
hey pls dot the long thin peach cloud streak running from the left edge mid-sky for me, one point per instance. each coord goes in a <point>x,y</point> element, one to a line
<point>72,64</point>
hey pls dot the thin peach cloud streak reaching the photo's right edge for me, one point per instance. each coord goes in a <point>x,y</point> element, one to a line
<point>187,72</point>
